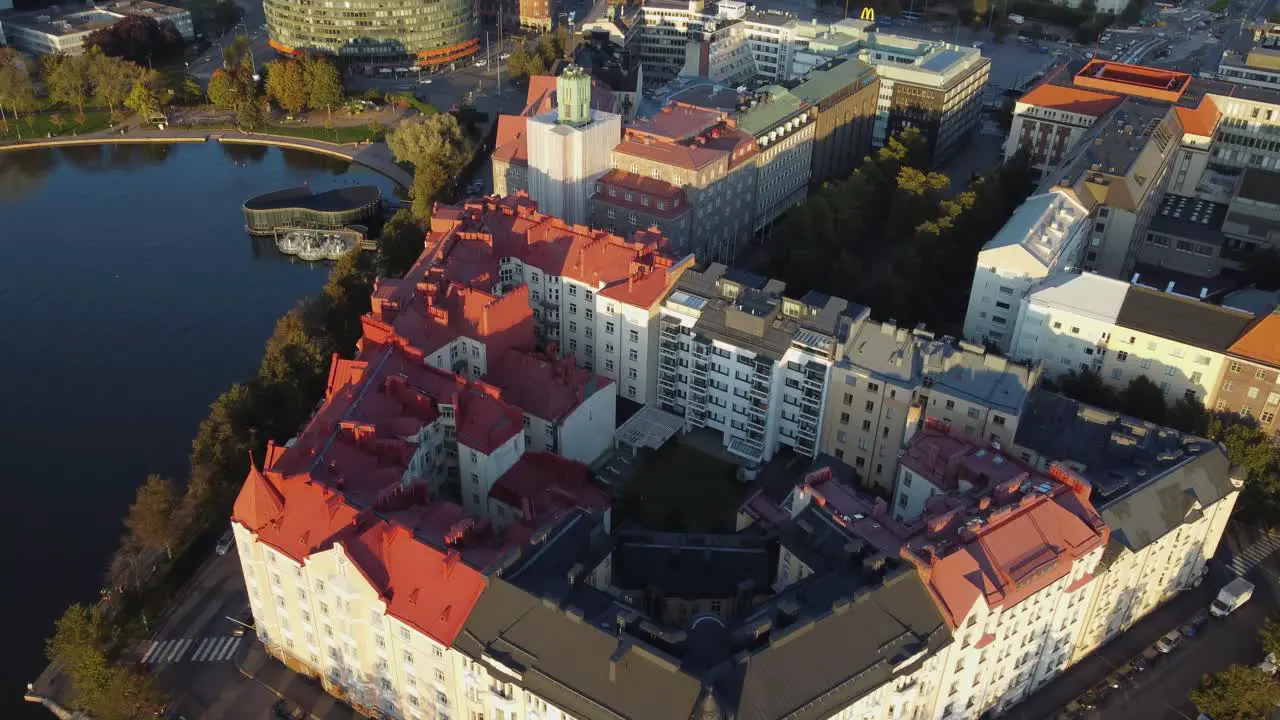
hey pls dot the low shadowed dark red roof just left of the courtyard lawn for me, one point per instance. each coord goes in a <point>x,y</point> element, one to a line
<point>545,485</point>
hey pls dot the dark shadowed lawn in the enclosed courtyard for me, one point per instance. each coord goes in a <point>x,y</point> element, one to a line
<point>683,490</point>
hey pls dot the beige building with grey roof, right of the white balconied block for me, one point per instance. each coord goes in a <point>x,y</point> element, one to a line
<point>888,382</point>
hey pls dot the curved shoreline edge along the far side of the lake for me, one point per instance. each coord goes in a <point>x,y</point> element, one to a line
<point>353,154</point>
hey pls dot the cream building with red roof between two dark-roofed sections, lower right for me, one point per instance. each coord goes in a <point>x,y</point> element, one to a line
<point>1012,566</point>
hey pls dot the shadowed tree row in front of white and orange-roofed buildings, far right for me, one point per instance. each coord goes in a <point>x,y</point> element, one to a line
<point>1250,446</point>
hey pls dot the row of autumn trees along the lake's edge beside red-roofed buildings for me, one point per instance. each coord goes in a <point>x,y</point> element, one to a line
<point>163,522</point>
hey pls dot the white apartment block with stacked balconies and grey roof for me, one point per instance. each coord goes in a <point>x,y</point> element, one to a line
<point>742,359</point>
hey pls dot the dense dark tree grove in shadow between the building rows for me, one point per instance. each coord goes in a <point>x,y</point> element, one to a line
<point>894,236</point>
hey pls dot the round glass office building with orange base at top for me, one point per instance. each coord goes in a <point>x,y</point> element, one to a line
<point>432,33</point>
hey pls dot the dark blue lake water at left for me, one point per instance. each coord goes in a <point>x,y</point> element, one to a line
<point>130,299</point>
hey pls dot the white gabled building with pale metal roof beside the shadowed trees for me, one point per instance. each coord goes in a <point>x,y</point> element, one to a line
<point>1044,236</point>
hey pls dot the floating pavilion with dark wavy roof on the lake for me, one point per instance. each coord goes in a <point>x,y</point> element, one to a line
<point>298,208</point>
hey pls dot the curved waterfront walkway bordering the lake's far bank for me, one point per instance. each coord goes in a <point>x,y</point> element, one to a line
<point>374,156</point>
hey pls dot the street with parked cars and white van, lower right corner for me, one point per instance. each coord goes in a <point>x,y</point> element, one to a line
<point>1162,692</point>
